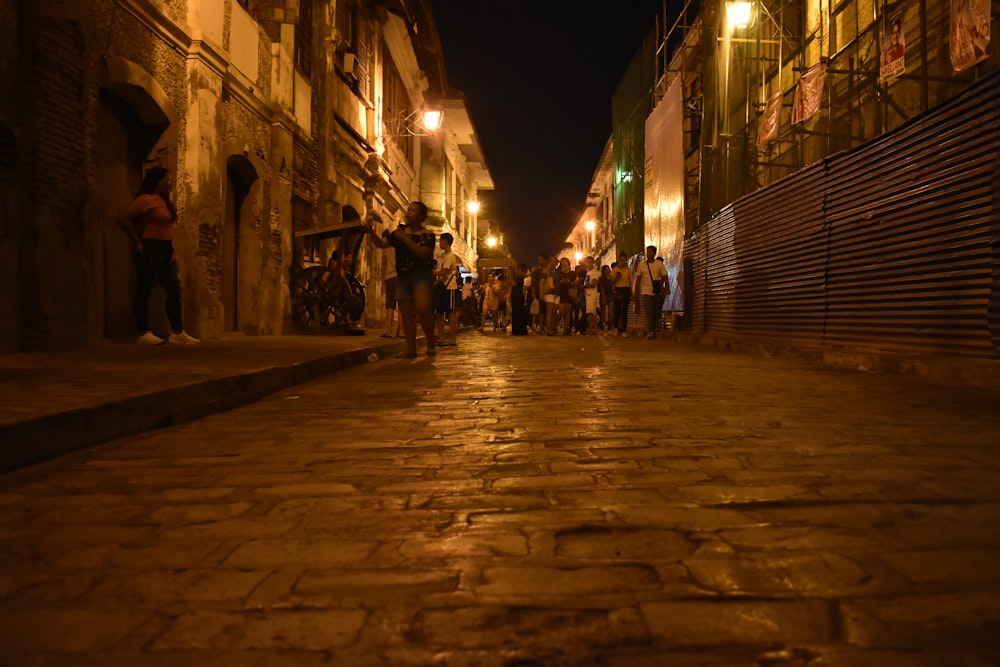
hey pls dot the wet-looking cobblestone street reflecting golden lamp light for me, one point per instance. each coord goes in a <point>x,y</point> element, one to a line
<point>525,501</point>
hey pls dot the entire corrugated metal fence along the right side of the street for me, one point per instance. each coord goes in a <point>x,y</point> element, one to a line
<point>893,246</point>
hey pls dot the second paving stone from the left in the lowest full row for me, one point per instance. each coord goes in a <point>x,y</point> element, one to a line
<point>276,629</point>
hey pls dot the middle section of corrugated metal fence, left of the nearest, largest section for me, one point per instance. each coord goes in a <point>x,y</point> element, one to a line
<point>781,244</point>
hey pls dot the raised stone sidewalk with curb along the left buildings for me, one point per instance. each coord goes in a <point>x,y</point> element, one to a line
<point>54,403</point>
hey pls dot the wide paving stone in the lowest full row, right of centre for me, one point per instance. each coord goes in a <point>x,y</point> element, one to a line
<point>726,621</point>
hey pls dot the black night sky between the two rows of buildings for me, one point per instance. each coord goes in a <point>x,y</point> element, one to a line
<point>538,76</point>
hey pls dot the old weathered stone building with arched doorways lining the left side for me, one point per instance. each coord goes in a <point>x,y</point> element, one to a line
<point>271,121</point>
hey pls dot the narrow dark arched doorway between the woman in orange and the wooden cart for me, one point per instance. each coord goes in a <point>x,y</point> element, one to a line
<point>238,278</point>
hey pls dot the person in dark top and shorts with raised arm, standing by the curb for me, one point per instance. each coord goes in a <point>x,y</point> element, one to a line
<point>414,246</point>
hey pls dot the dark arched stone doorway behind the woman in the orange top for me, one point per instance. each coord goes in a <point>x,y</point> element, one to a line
<point>136,126</point>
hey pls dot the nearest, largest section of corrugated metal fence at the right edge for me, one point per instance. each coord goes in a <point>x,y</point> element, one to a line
<point>913,219</point>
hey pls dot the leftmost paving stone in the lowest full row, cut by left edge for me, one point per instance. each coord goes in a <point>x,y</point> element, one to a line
<point>65,630</point>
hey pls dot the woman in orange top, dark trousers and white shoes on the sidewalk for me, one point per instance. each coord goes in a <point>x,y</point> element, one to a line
<point>149,224</point>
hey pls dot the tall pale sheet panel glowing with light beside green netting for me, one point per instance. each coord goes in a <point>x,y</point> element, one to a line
<point>663,201</point>
